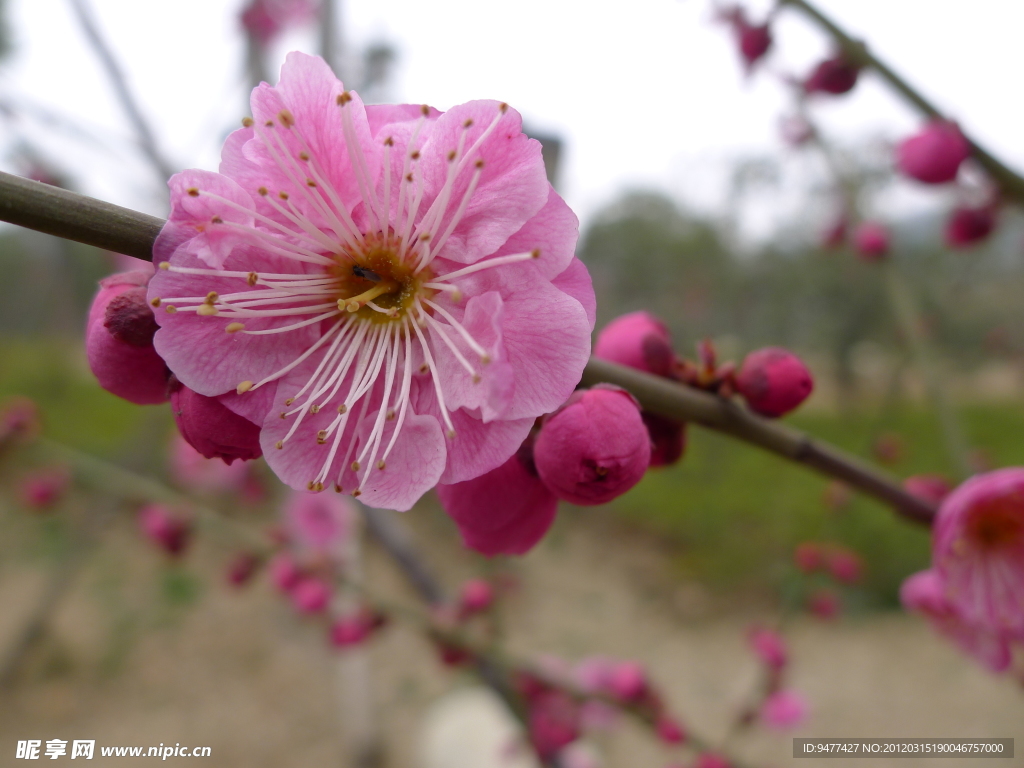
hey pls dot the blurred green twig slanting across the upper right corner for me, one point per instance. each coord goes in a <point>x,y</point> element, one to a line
<point>1011,185</point>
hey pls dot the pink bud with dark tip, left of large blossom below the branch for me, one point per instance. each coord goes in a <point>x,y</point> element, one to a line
<point>119,342</point>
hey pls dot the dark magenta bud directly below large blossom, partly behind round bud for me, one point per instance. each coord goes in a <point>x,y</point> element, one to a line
<point>505,511</point>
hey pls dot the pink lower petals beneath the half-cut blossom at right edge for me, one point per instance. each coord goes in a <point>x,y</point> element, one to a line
<point>926,593</point>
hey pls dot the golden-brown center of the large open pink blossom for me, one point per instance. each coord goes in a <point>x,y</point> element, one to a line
<point>376,284</point>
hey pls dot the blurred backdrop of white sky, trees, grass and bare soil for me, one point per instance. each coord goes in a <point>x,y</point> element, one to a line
<point>694,206</point>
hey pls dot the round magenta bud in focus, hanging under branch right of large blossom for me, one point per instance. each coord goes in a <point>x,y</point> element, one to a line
<point>595,448</point>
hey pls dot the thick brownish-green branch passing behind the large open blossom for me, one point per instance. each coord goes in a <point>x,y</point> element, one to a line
<point>46,208</point>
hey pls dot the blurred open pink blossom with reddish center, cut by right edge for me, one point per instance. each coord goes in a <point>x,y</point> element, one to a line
<point>978,548</point>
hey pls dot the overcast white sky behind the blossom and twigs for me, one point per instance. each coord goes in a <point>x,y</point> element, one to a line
<point>646,94</point>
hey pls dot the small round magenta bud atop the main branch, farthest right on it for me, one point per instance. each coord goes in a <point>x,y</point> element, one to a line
<point>775,381</point>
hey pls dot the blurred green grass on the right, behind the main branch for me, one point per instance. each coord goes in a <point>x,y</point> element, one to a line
<point>737,513</point>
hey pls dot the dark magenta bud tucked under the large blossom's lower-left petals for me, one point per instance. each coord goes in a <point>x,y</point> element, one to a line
<point>212,430</point>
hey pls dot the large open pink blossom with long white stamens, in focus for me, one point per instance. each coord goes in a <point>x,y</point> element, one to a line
<point>391,291</point>
